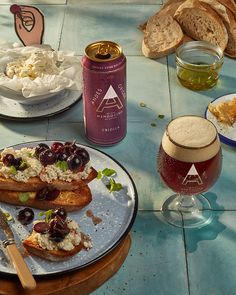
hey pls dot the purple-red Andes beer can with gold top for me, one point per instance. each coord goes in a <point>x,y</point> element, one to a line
<point>104,93</point>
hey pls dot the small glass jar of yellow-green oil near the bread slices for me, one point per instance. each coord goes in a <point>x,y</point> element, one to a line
<point>198,64</point>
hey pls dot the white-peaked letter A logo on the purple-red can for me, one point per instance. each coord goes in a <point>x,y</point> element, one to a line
<point>110,100</point>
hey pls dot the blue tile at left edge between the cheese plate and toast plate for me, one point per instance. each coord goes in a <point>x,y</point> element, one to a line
<point>15,132</point>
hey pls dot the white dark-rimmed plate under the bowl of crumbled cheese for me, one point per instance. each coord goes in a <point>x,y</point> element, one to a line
<point>10,109</point>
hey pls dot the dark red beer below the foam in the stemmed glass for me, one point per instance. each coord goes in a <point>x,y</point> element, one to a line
<point>189,178</point>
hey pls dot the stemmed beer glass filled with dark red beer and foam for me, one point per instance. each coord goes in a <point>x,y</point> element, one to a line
<point>189,162</point>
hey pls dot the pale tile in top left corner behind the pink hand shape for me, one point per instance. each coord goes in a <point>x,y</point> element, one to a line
<point>53,24</point>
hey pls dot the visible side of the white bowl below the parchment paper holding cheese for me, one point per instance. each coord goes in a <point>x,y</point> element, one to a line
<point>18,97</point>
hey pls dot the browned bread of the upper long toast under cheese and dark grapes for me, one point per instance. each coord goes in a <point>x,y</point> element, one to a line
<point>36,184</point>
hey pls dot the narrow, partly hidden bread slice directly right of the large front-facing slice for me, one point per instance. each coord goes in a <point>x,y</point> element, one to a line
<point>229,22</point>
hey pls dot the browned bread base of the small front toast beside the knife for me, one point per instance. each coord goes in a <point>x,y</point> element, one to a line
<point>52,255</point>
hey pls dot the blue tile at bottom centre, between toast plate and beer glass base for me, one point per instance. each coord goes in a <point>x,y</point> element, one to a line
<point>155,264</point>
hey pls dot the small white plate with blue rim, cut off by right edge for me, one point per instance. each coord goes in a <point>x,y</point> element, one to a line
<point>227,133</point>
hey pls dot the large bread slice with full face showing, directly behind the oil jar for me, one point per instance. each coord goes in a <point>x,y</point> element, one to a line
<point>201,22</point>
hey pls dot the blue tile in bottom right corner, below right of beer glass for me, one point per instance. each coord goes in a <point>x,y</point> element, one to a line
<point>210,256</point>
